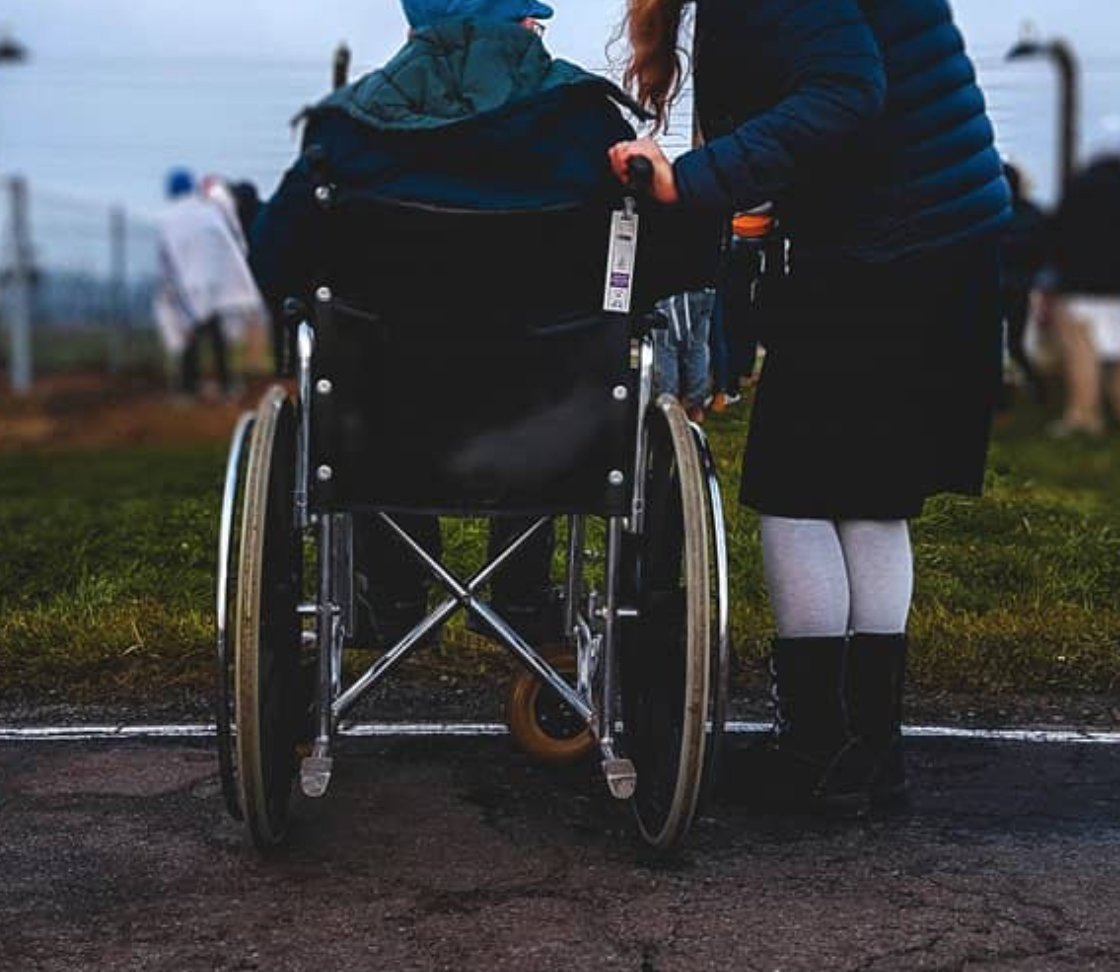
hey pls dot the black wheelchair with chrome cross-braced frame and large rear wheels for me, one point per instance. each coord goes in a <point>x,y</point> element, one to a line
<point>550,418</point>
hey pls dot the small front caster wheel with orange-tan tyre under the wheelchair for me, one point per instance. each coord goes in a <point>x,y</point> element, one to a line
<point>540,724</point>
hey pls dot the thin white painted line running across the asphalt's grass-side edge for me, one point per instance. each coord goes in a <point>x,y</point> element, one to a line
<point>398,731</point>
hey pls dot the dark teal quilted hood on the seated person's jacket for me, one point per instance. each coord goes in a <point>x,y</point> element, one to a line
<point>456,71</point>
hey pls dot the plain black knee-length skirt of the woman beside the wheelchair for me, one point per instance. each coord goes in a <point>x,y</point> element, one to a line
<point>879,387</point>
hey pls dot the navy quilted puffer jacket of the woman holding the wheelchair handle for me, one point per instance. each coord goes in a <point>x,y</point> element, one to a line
<point>862,119</point>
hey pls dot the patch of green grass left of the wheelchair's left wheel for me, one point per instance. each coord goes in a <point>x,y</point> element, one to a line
<point>106,582</point>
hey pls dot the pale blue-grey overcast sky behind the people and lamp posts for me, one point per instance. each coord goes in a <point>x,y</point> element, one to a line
<point>120,90</point>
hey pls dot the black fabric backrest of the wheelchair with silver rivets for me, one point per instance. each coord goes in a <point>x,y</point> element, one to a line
<point>472,367</point>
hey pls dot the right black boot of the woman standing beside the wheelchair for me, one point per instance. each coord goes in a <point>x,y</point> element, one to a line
<point>875,686</point>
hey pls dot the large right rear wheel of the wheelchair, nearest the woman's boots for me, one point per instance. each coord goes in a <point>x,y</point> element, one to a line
<point>666,658</point>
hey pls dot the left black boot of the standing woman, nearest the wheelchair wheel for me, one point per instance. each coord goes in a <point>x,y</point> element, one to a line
<point>804,765</point>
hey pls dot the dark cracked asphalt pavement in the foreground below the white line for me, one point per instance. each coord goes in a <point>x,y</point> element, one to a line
<point>432,855</point>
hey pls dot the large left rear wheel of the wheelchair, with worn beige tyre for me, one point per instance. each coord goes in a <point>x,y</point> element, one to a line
<point>272,698</point>
